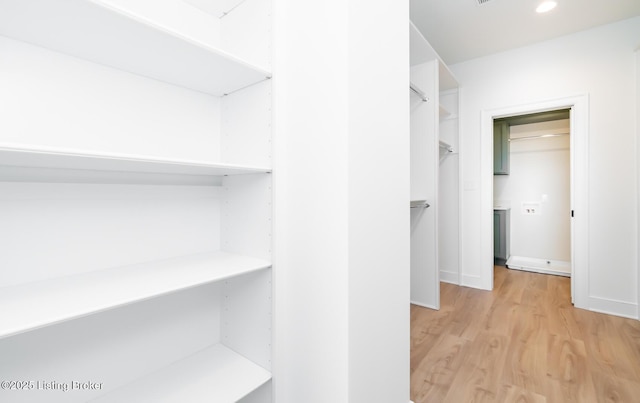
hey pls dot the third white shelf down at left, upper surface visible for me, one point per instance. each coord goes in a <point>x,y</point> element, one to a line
<point>34,305</point>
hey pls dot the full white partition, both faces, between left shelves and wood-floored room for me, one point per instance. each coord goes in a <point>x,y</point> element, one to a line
<point>342,184</point>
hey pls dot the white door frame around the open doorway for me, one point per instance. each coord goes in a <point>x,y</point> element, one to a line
<point>579,105</point>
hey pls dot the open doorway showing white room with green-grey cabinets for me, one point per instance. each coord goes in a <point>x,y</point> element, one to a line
<point>531,192</point>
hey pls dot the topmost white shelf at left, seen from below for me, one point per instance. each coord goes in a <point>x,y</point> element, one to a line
<point>105,33</point>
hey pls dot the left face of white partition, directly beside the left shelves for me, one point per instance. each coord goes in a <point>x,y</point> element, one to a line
<point>311,203</point>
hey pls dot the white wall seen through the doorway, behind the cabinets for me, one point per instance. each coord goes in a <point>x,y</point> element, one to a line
<point>539,173</point>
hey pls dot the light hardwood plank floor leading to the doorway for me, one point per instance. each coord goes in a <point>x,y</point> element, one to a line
<point>522,342</point>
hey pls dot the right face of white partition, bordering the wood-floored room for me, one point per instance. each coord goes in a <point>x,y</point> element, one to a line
<point>378,216</point>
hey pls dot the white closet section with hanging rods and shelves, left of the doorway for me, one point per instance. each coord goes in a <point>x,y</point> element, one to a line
<point>435,174</point>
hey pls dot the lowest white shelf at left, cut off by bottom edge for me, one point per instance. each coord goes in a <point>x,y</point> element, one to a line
<point>215,374</point>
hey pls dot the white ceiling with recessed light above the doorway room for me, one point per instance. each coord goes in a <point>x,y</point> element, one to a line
<point>461,30</point>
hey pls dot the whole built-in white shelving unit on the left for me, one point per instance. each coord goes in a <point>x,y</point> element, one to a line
<point>135,200</point>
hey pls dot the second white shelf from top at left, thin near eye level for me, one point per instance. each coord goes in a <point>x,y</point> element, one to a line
<point>58,158</point>
